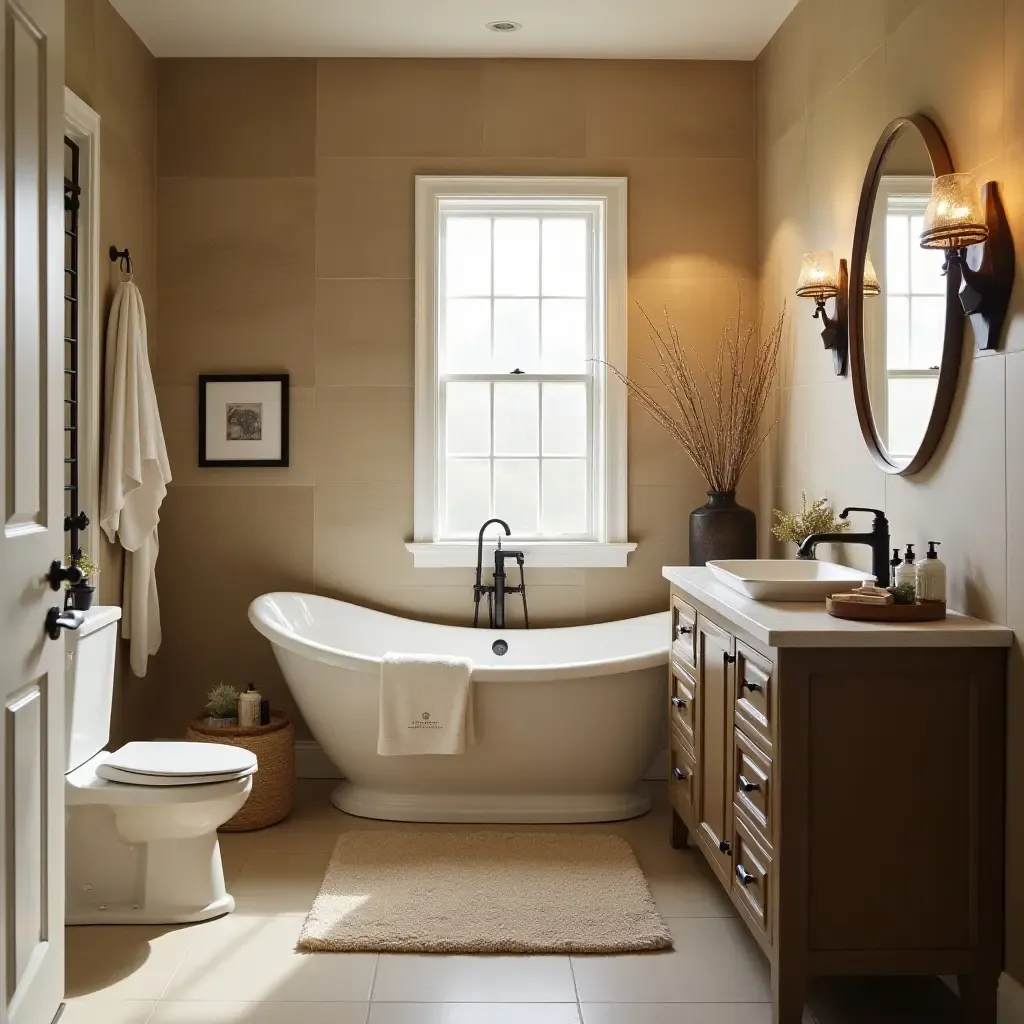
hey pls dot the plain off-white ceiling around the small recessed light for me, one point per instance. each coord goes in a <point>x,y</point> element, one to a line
<point>667,29</point>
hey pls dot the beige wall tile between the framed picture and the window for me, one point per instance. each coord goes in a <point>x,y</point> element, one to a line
<point>364,435</point>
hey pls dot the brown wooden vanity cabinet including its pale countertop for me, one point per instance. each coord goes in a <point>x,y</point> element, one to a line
<point>844,781</point>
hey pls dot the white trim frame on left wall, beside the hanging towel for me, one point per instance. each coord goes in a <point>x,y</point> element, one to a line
<point>82,125</point>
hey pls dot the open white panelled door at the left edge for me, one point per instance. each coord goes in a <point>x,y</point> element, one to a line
<point>32,746</point>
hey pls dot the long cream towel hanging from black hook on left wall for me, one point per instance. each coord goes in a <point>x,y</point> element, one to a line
<point>136,471</point>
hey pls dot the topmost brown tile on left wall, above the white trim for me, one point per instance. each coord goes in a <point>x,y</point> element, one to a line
<point>125,80</point>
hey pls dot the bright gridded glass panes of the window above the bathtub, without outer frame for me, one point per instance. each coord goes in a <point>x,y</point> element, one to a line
<point>517,326</point>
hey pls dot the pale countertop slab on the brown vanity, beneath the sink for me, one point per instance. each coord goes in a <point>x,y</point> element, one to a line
<point>798,624</point>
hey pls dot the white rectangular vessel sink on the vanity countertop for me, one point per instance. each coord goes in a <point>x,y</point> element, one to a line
<point>788,579</point>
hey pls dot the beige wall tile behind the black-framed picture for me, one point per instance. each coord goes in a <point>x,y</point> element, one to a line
<point>179,413</point>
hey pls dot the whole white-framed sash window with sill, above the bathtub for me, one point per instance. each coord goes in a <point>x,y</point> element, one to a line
<point>521,301</point>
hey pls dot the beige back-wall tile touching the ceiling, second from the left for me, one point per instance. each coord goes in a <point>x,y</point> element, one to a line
<point>399,108</point>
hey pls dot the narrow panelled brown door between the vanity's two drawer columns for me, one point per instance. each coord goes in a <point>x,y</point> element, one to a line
<point>716,660</point>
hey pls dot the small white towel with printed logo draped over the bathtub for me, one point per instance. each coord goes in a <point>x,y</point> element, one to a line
<point>426,705</point>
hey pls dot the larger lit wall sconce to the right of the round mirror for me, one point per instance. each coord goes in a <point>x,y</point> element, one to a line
<point>959,220</point>
